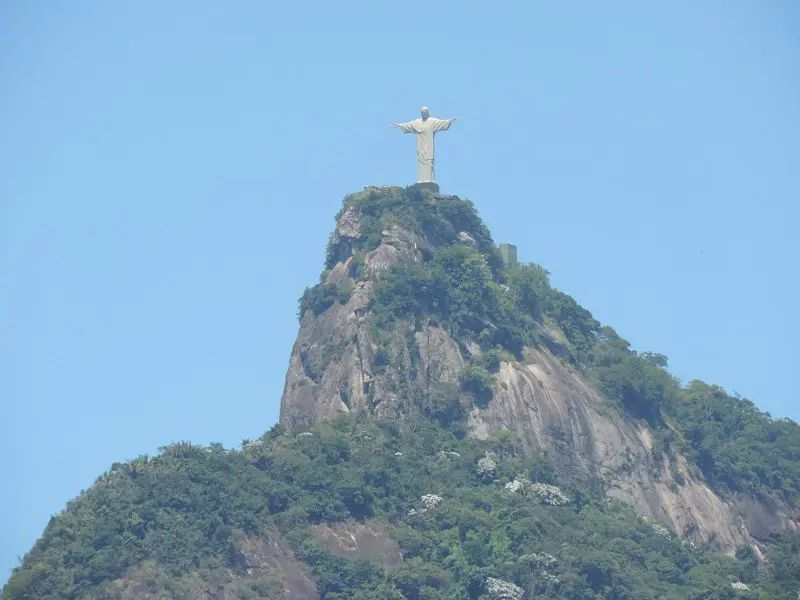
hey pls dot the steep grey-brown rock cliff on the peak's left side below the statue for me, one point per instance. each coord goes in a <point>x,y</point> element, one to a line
<point>332,367</point>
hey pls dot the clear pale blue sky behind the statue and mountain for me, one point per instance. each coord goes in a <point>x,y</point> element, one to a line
<point>169,173</point>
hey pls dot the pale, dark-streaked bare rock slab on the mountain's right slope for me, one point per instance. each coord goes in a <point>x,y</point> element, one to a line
<point>556,413</point>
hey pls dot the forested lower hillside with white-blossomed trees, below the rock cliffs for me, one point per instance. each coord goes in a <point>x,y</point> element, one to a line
<point>466,515</point>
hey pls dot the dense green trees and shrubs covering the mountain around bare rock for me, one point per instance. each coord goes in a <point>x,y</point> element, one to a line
<point>474,520</point>
